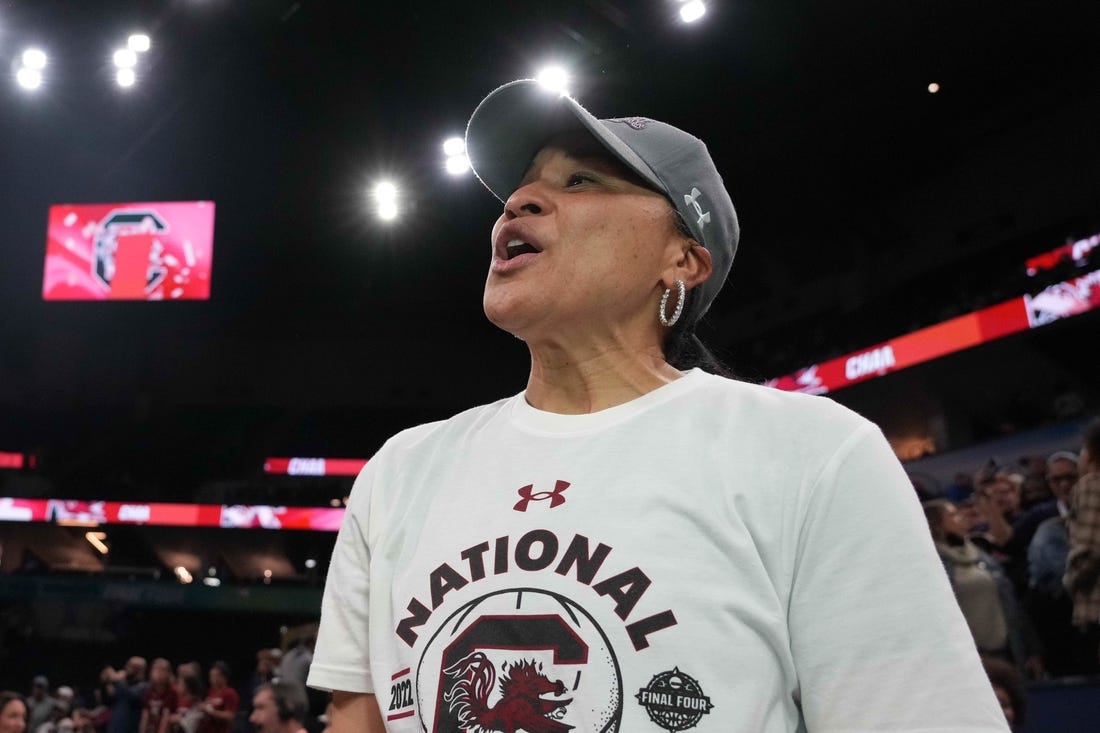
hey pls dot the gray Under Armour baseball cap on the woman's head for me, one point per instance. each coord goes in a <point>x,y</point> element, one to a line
<point>516,121</point>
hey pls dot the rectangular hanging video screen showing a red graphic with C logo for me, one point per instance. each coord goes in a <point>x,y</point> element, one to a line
<point>137,251</point>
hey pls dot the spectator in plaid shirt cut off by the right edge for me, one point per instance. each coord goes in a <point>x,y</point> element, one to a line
<point>1083,564</point>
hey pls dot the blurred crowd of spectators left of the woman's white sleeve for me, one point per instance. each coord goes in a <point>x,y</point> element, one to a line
<point>153,697</point>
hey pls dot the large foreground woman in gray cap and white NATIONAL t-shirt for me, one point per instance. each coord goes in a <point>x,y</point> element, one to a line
<point>633,542</point>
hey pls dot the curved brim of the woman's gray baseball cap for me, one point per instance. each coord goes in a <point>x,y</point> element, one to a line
<point>516,121</point>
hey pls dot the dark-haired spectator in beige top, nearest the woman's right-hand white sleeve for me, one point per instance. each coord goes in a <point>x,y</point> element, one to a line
<point>984,593</point>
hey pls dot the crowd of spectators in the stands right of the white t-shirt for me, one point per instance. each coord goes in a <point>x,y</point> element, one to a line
<point>1021,548</point>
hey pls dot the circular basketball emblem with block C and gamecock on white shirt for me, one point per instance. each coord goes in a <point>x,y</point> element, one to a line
<point>520,660</point>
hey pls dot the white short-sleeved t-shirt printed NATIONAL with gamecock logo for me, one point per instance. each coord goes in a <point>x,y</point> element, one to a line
<point>712,556</point>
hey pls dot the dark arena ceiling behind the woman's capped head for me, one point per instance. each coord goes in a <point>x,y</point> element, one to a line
<point>870,206</point>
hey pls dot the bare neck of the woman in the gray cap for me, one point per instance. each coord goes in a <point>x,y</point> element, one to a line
<point>577,380</point>
